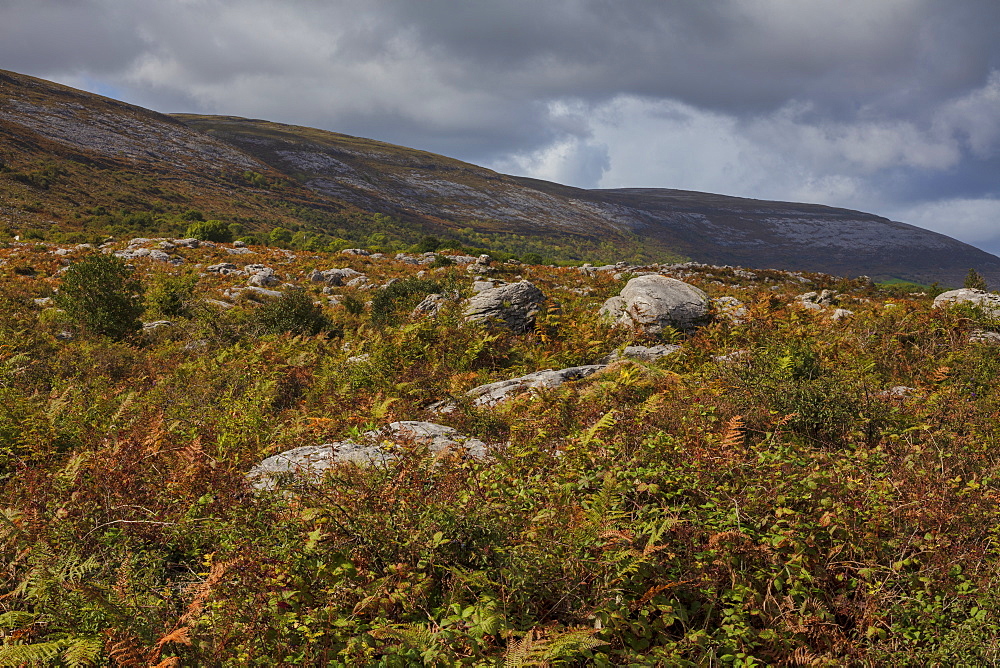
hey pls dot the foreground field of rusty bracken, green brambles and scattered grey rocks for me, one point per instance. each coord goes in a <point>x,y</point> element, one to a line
<point>233,454</point>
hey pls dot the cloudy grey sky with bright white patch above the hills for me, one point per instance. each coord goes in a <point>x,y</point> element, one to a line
<point>888,106</point>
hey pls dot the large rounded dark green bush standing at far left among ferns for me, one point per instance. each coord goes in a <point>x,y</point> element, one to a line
<point>102,295</point>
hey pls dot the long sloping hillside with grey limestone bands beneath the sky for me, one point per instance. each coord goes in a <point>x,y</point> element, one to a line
<point>87,165</point>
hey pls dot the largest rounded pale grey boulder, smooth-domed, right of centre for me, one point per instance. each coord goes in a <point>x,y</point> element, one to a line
<point>655,302</point>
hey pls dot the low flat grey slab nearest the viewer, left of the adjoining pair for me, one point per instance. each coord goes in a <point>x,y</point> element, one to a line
<point>309,462</point>
